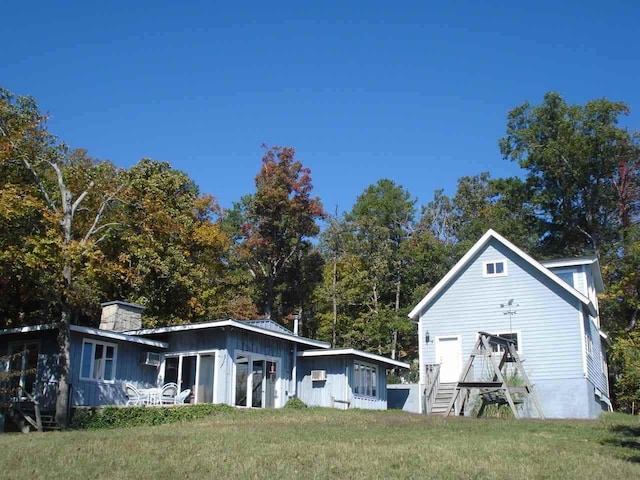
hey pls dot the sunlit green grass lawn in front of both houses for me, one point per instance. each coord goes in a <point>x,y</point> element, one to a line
<point>322,443</point>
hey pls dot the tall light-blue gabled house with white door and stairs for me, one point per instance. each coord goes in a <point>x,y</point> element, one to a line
<point>549,309</point>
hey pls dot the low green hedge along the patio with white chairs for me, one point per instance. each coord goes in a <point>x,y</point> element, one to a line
<point>117,417</point>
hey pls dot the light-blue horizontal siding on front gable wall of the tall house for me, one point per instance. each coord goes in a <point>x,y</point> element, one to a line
<point>548,318</point>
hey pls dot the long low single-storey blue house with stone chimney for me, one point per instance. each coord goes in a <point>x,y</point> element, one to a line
<point>258,364</point>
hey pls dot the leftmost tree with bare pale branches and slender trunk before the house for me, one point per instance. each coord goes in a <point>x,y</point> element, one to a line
<point>26,144</point>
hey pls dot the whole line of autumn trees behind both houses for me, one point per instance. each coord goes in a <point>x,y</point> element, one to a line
<point>76,231</point>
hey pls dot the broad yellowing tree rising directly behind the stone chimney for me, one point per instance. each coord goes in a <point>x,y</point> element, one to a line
<point>169,250</point>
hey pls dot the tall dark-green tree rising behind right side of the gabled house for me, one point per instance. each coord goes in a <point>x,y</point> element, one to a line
<point>574,157</point>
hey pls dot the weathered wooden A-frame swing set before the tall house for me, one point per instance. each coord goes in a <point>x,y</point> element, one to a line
<point>494,391</point>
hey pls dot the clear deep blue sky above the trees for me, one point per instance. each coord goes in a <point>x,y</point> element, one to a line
<point>417,92</point>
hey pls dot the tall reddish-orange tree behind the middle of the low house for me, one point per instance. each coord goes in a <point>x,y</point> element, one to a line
<point>277,222</point>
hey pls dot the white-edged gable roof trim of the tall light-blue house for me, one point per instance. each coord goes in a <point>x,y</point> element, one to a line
<point>468,257</point>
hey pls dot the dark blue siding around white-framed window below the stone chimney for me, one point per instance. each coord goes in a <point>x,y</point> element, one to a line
<point>128,370</point>
